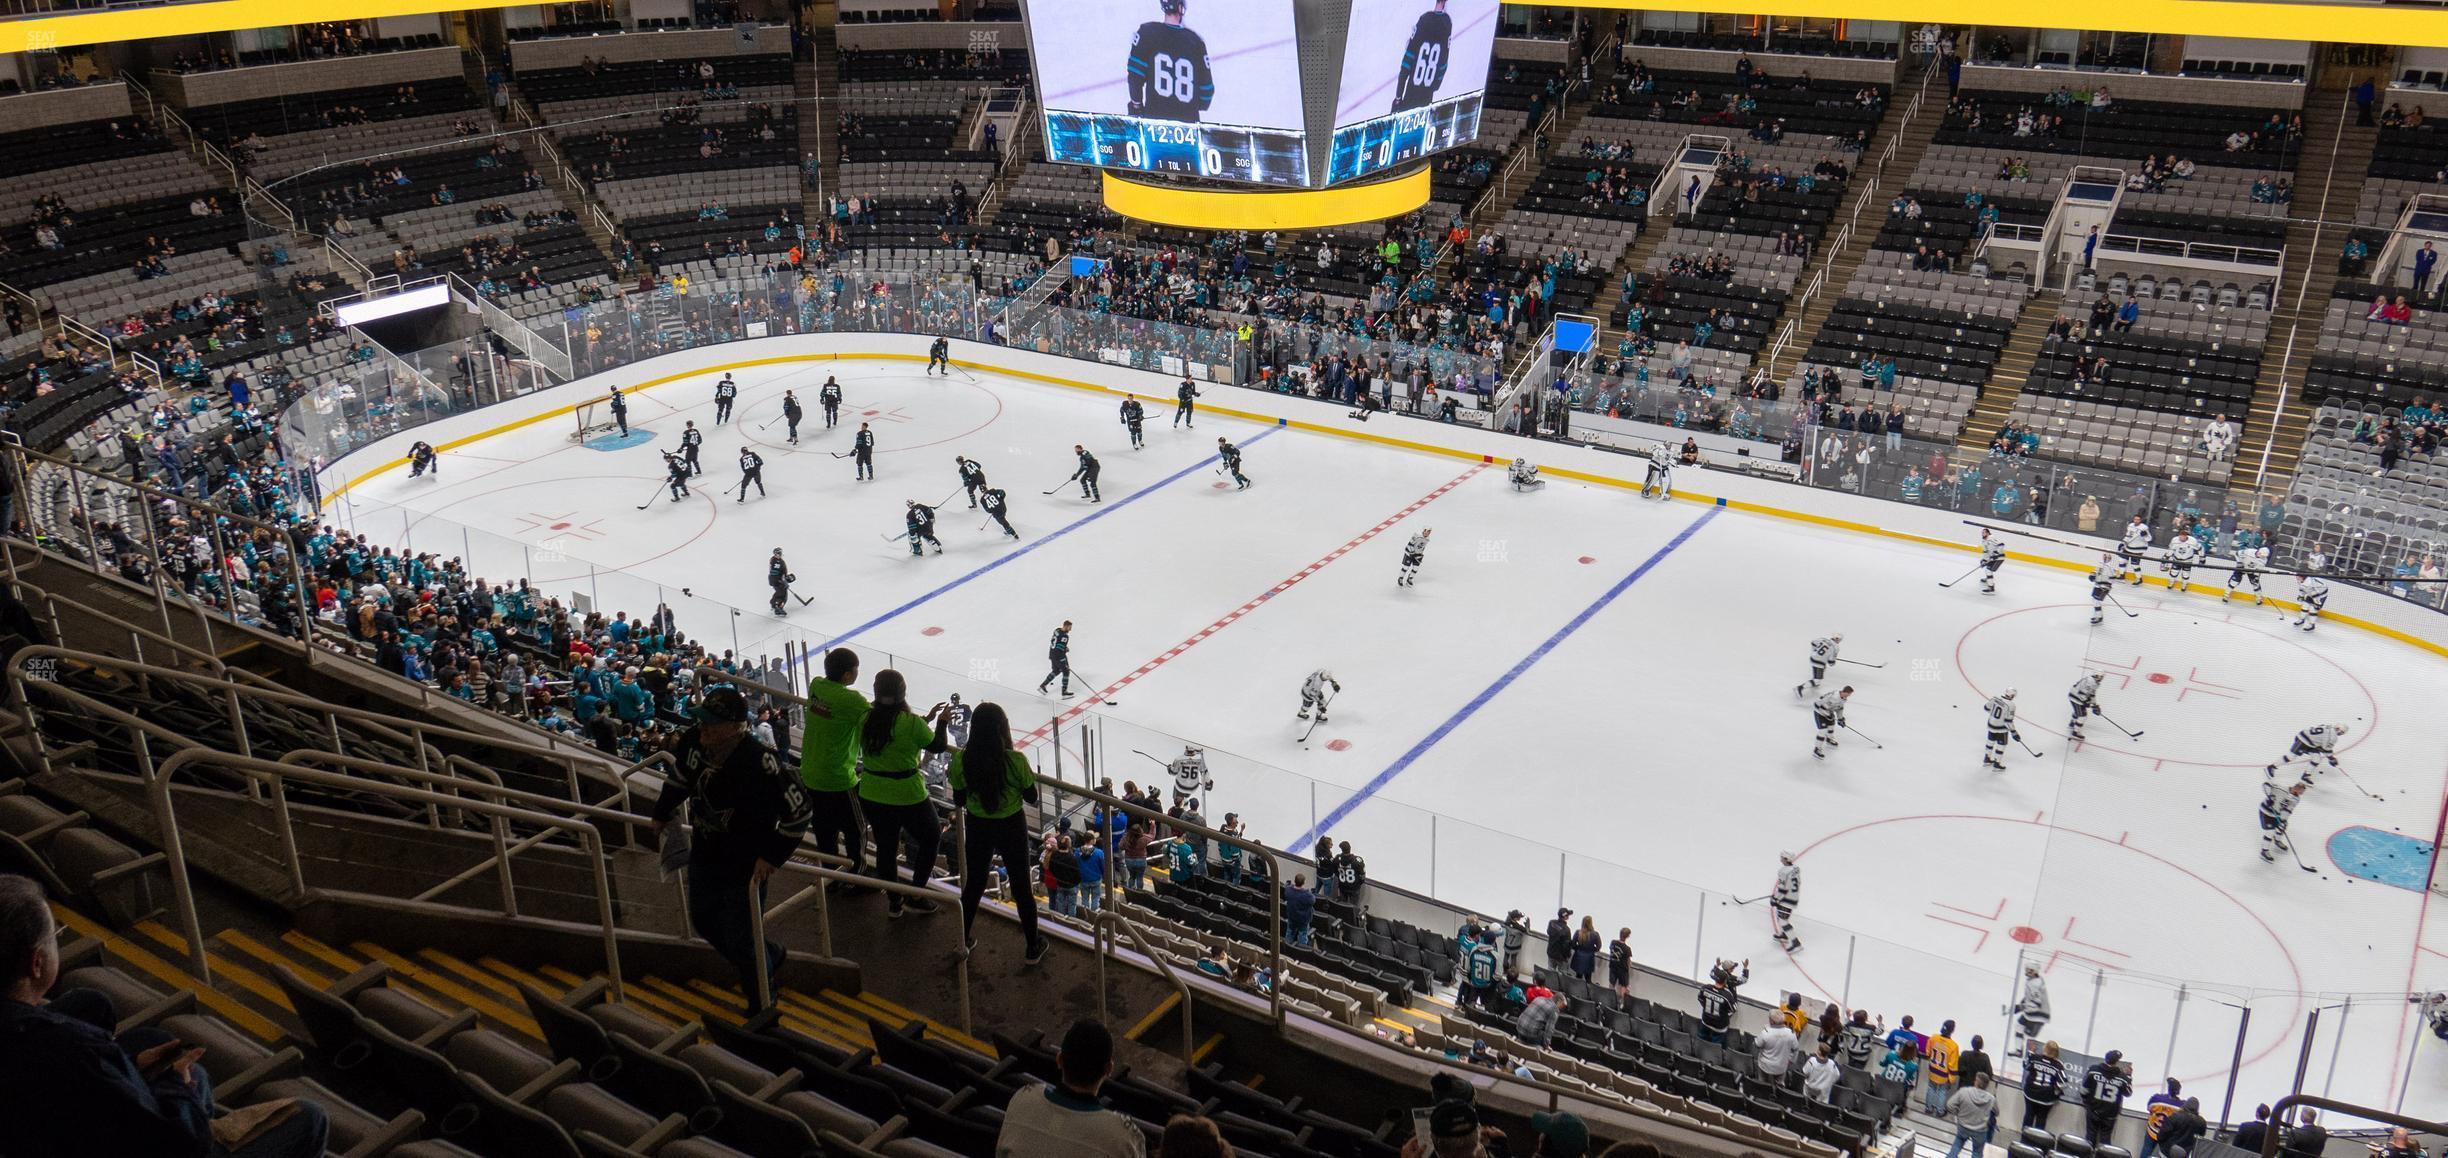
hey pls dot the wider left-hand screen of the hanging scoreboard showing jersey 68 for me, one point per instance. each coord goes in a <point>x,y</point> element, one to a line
<point>1174,87</point>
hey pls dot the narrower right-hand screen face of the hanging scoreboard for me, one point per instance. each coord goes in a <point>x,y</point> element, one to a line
<point>1414,82</point>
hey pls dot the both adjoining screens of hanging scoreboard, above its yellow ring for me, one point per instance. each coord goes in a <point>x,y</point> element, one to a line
<point>1294,94</point>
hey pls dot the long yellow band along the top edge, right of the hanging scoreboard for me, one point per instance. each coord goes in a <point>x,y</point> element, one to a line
<point>2207,18</point>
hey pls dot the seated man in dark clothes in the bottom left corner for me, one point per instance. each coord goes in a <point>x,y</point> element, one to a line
<point>82,1093</point>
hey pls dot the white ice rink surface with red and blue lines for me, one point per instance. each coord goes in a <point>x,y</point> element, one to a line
<point>1588,699</point>
